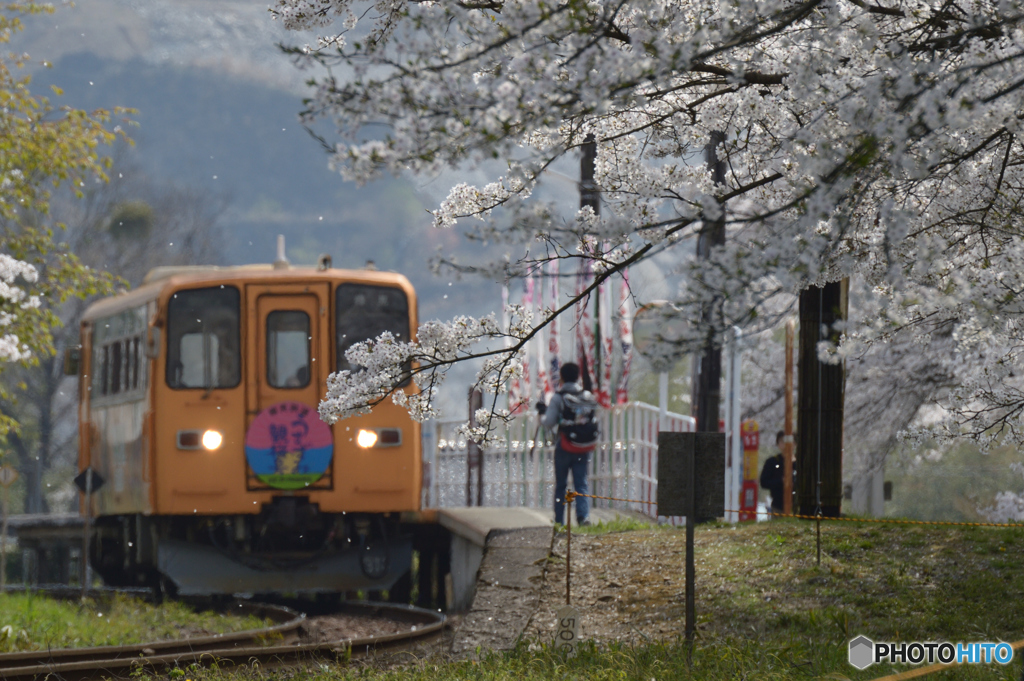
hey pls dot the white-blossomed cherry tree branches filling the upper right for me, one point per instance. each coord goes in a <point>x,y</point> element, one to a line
<point>878,140</point>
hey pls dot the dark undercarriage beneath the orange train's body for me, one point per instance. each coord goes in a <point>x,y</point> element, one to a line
<point>289,547</point>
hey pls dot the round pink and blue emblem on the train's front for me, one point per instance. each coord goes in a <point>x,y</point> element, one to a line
<point>288,447</point>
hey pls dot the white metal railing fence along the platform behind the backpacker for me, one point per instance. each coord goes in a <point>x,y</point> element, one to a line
<point>624,465</point>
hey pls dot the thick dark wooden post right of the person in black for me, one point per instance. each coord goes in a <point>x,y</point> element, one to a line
<point>820,396</point>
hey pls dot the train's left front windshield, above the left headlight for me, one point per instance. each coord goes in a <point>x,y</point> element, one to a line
<point>204,339</point>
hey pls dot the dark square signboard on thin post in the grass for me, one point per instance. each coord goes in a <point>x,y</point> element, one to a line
<point>675,451</point>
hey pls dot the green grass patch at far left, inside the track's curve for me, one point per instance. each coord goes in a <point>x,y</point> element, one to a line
<point>33,622</point>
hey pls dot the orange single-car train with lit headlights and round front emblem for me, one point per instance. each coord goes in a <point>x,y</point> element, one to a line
<point>215,473</point>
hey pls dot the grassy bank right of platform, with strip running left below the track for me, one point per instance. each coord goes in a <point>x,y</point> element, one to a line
<point>765,610</point>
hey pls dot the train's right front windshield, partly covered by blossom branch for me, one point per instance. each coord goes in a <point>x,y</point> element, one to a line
<point>364,313</point>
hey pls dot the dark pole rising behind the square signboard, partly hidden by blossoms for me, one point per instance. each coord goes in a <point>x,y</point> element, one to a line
<point>707,377</point>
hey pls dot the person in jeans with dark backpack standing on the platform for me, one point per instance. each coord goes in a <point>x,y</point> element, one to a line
<point>575,412</point>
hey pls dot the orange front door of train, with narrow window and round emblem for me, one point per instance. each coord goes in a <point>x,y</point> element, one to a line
<point>290,351</point>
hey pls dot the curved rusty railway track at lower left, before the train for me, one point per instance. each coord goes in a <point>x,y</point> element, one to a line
<point>279,645</point>
